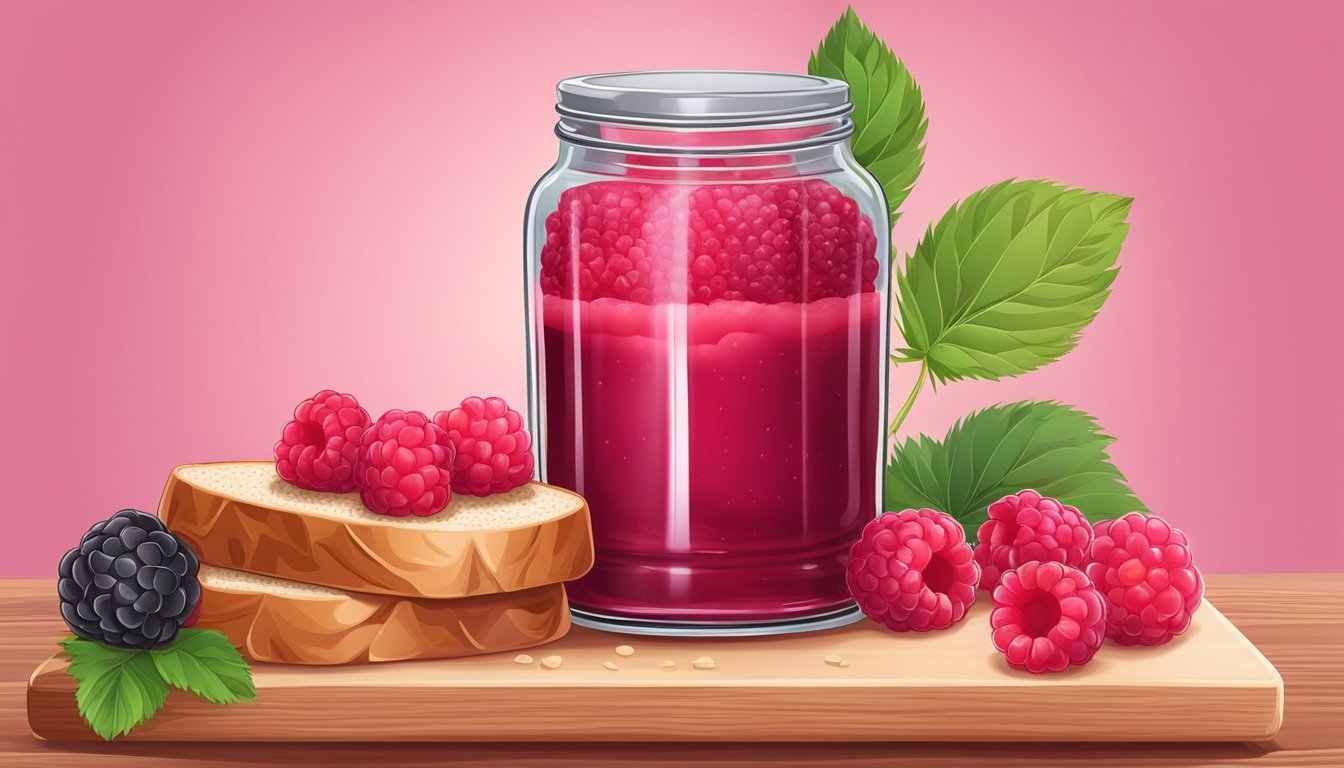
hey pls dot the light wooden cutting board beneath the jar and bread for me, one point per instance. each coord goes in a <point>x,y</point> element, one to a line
<point>1209,685</point>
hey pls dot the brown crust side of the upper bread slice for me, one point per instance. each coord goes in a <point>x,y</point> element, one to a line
<point>377,559</point>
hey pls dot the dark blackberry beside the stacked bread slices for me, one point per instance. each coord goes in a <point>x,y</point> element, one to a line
<point>131,583</point>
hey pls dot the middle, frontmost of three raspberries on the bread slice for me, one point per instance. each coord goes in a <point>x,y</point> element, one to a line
<point>405,466</point>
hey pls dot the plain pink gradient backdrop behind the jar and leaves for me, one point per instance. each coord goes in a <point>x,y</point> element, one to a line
<point>210,212</point>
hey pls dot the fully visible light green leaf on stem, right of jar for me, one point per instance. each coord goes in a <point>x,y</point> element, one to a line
<point>1007,280</point>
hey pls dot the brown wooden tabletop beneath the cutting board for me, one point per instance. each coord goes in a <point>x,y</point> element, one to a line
<point>1298,621</point>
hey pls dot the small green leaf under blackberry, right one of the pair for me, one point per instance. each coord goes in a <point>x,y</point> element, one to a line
<point>205,664</point>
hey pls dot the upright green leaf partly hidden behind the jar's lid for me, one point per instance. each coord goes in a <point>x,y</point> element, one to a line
<point>889,114</point>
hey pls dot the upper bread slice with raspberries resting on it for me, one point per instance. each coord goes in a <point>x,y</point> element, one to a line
<point>243,516</point>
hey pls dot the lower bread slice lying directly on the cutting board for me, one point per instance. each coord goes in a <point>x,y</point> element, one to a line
<point>278,621</point>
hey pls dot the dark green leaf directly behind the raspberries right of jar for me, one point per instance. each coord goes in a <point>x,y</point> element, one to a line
<point>1044,446</point>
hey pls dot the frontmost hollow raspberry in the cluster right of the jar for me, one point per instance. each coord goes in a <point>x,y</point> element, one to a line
<point>1048,617</point>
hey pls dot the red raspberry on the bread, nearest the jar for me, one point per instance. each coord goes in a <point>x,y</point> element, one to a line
<point>494,451</point>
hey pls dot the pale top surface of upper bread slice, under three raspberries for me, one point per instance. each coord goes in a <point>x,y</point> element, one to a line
<point>257,484</point>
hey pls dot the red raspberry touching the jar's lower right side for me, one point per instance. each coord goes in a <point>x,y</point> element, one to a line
<point>913,571</point>
